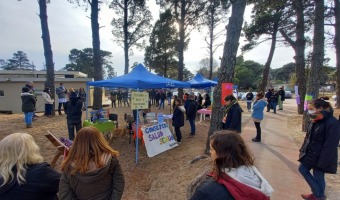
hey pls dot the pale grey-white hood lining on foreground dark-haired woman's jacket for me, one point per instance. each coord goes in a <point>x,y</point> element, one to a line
<point>251,177</point>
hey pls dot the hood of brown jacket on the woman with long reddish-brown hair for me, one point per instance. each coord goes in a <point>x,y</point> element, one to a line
<point>95,174</point>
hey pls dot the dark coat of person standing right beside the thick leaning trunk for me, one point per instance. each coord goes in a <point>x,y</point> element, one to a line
<point>234,118</point>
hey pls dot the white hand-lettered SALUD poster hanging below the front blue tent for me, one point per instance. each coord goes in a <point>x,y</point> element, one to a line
<point>158,139</point>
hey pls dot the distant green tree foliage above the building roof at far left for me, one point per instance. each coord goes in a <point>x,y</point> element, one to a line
<point>18,62</point>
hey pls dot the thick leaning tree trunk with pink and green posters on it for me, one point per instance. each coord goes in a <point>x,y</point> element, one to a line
<point>227,69</point>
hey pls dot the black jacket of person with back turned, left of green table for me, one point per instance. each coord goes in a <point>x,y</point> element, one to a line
<point>73,110</point>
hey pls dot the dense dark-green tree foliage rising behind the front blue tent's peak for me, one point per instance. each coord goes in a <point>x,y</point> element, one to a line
<point>162,53</point>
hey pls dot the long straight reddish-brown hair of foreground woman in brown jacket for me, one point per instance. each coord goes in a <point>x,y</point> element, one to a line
<point>88,146</point>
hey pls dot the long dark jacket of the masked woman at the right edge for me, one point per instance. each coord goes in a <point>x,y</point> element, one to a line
<point>320,147</point>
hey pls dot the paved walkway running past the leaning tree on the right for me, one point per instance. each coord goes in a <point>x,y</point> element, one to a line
<point>276,156</point>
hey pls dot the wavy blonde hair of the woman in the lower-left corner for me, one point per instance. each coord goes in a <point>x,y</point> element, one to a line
<point>17,150</point>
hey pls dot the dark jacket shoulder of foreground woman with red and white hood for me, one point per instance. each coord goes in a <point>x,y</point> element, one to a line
<point>211,190</point>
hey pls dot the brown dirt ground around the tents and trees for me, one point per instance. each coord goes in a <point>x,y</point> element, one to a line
<point>165,176</point>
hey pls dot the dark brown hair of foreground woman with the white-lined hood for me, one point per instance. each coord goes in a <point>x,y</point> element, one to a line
<point>231,151</point>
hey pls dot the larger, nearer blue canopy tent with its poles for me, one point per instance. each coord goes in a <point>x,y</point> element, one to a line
<point>138,78</point>
